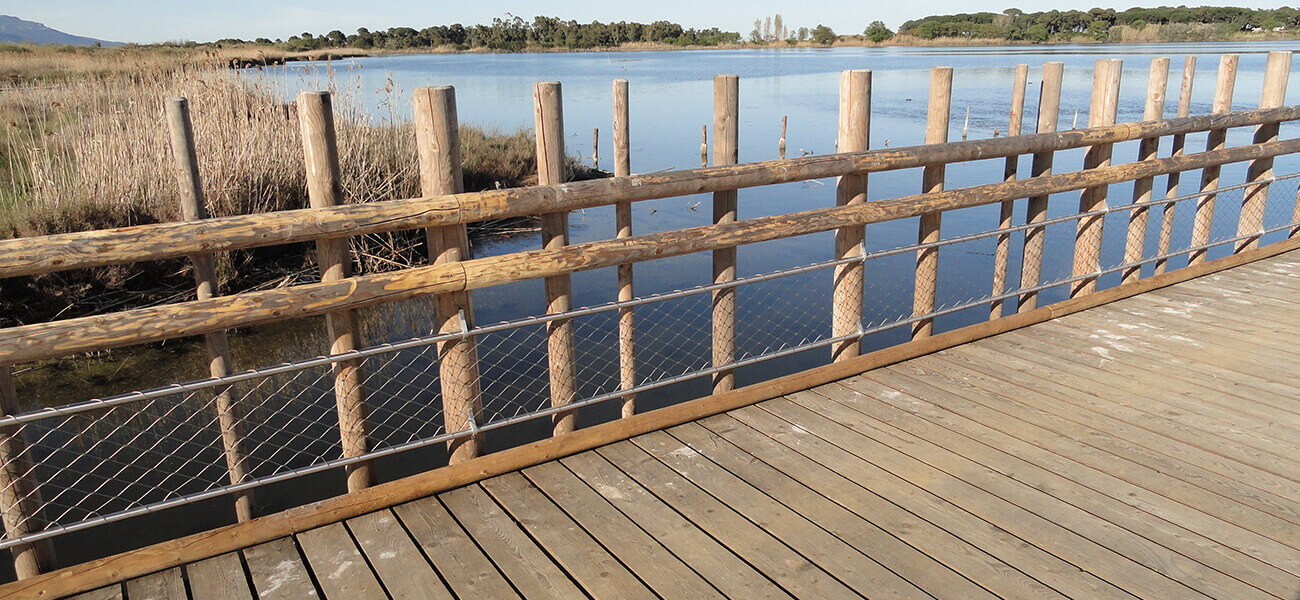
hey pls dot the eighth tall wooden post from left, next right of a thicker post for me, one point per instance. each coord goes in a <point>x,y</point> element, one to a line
<point>933,181</point>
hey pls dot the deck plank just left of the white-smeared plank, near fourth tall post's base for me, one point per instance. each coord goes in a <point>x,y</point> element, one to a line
<point>658,568</point>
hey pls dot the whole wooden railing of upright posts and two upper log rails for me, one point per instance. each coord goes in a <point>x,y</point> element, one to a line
<point>445,210</point>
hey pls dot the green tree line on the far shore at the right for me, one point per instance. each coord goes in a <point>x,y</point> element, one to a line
<point>1021,27</point>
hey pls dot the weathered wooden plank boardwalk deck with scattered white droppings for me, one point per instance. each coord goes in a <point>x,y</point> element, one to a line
<point>1146,449</point>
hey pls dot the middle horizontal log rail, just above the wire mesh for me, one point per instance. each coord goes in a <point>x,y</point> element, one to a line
<point>157,324</point>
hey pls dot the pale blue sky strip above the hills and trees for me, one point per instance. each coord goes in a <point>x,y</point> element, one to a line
<point>146,21</point>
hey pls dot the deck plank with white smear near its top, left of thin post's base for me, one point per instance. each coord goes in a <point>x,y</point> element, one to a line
<point>717,564</point>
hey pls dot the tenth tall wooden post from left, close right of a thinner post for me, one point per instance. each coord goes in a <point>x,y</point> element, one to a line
<point>1037,207</point>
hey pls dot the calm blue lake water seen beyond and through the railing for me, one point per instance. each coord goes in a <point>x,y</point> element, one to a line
<point>671,98</point>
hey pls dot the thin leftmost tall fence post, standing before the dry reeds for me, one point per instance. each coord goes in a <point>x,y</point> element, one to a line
<point>193,207</point>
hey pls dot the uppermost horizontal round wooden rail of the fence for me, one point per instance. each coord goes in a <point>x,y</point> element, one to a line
<point>28,256</point>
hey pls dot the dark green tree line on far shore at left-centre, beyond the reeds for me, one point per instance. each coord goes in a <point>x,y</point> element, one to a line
<point>510,34</point>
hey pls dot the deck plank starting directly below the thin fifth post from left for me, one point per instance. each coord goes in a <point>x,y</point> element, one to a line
<point>760,549</point>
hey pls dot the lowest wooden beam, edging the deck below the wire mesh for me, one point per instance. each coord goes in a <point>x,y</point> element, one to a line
<point>119,568</point>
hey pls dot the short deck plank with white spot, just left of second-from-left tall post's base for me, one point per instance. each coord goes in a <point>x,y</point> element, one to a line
<point>340,568</point>
